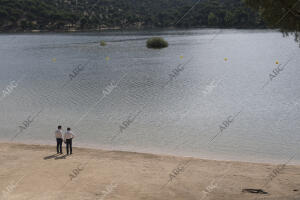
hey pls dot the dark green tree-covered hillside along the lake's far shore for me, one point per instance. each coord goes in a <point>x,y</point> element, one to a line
<point>19,15</point>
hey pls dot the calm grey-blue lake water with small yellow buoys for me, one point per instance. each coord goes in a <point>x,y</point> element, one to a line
<point>123,96</point>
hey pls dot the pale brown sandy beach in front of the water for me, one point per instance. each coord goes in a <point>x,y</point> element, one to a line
<point>35,172</point>
